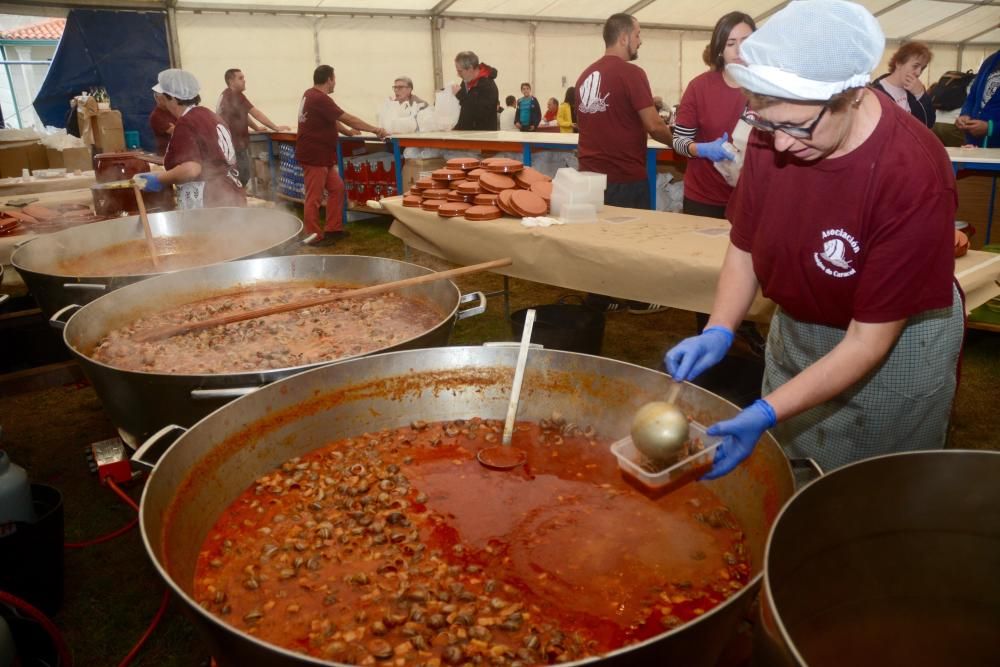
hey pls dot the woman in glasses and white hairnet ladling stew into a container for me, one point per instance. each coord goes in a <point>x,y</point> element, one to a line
<point>843,216</point>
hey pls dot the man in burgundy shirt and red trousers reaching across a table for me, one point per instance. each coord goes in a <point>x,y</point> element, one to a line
<point>316,151</point>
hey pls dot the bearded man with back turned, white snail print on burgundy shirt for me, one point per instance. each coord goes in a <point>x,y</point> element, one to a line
<point>615,112</point>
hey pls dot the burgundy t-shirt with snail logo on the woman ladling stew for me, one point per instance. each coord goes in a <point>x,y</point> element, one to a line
<point>867,236</point>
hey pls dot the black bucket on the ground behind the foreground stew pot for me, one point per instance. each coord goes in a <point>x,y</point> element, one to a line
<point>570,327</point>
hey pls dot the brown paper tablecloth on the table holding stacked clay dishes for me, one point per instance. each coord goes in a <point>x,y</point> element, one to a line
<point>656,257</point>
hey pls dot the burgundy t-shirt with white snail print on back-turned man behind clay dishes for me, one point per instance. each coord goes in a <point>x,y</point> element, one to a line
<point>609,95</point>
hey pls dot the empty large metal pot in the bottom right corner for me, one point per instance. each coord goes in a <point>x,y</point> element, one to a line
<point>889,561</point>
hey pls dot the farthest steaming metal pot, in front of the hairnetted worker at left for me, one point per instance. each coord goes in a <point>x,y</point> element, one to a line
<point>234,233</point>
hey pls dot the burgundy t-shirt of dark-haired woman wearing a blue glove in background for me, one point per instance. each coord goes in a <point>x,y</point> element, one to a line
<point>713,108</point>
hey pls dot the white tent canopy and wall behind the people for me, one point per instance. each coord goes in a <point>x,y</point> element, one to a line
<point>278,43</point>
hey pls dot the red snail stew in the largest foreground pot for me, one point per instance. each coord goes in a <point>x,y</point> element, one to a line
<point>399,548</point>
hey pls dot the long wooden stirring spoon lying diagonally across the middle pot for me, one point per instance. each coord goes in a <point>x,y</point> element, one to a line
<point>160,333</point>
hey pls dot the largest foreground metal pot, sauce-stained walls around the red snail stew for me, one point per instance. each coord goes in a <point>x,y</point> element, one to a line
<point>204,470</point>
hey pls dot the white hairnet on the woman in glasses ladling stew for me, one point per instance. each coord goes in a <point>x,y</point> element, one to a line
<point>810,50</point>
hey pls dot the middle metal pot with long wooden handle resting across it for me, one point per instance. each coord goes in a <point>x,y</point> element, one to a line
<point>141,403</point>
